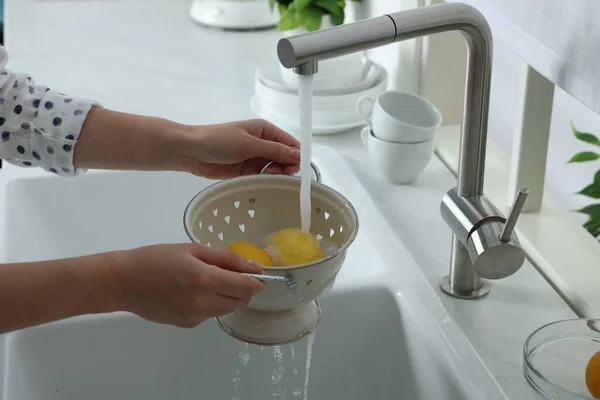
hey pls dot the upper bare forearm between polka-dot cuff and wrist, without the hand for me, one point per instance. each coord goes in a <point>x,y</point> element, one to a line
<point>119,141</point>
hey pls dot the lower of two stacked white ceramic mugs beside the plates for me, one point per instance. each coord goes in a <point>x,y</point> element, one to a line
<point>400,163</point>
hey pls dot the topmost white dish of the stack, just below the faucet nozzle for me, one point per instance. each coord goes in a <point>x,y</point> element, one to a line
<point>270,76</point>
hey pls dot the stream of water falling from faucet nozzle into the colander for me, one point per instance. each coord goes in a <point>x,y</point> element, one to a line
<point>305,90</point>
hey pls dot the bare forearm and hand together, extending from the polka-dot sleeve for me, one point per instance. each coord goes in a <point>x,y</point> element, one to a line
<point>115,140</point>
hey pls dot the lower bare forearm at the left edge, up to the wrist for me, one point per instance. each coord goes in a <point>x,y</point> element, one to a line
<point>40,292</point>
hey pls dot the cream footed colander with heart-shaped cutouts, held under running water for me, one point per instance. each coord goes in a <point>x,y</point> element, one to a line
<point>249,208</point>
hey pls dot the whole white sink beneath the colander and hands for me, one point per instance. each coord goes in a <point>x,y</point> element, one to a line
<point>384,334</point>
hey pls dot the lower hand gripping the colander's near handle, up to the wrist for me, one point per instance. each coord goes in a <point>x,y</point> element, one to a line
<point>184,284</point>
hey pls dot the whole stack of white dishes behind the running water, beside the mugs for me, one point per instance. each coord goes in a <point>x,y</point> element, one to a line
<point>334,98</point>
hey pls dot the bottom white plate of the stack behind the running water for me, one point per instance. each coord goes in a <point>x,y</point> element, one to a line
<point>263,111</point>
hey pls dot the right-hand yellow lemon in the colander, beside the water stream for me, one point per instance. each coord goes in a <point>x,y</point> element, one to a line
<point>292,246</point>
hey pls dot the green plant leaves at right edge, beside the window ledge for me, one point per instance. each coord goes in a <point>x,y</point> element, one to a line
<point>592,225</point>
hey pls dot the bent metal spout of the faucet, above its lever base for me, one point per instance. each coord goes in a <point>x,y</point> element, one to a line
<point>296,51</point>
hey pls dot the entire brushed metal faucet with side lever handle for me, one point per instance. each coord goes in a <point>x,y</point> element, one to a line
<point>484,244</point>
